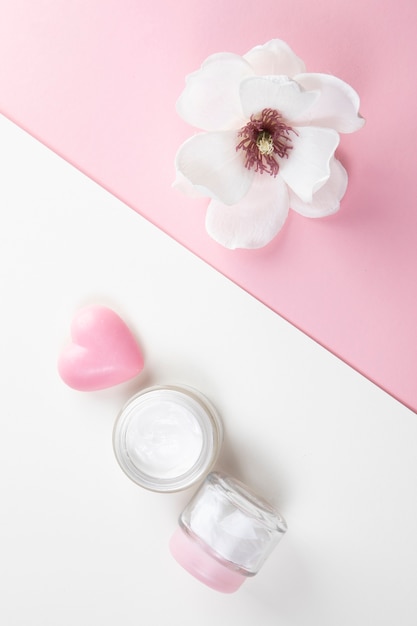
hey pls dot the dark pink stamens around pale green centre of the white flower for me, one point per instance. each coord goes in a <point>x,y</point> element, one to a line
<point>264,138</point>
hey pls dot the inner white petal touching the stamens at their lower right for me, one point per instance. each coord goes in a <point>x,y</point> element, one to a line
<point>307,167</point>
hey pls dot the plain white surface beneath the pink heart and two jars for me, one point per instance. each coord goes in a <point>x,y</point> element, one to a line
<point>80,544</point>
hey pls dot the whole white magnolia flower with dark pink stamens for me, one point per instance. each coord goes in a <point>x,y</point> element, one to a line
<point>271,131</point>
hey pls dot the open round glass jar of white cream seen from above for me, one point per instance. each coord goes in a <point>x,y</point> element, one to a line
<point>167,438</point>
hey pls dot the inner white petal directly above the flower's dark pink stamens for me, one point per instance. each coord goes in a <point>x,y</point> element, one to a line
<point>275,92</point>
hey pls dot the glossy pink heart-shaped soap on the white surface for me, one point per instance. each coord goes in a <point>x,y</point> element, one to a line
<point>103,351</point>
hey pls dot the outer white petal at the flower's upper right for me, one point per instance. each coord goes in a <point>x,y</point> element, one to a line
<point>337,105</point>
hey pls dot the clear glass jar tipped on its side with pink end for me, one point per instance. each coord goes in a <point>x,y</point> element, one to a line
<point>226,533</point>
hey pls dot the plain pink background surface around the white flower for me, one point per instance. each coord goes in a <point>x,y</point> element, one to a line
<point>97,82</point>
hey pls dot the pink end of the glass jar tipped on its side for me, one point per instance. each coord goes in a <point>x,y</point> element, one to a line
<point>192,557</point>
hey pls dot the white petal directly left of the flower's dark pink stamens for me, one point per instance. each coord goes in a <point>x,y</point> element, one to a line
<point>210,161</point>
